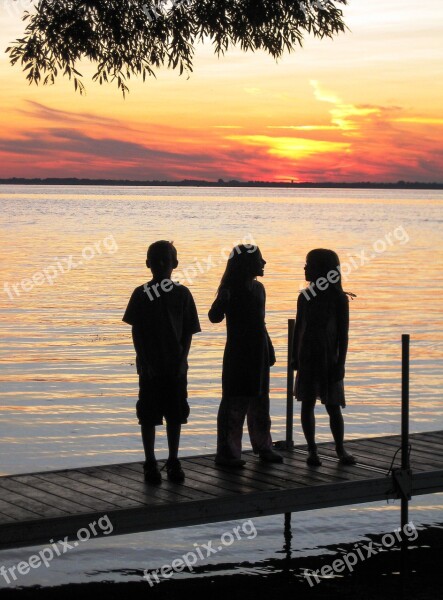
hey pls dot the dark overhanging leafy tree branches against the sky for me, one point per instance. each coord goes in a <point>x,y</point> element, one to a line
<point>123,38</point>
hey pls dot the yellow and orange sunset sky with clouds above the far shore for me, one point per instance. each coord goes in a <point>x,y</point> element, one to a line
<point>365,106</point>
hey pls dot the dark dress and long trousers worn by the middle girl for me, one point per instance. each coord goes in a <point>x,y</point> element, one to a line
<point>246,366</point>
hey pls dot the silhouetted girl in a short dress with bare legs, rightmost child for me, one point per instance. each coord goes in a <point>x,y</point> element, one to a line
<point>319,349</point>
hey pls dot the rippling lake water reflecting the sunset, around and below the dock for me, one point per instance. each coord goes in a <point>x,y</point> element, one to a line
<point>73,255</point>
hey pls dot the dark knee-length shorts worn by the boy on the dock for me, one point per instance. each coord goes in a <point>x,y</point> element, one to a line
<point>162,397</point>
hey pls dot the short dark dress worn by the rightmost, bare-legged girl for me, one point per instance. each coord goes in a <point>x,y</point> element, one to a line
<point>320,342</point>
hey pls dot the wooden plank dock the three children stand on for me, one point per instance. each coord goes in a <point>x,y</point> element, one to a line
<point>36,508</point>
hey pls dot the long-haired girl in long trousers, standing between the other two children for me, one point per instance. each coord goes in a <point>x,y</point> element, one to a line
<point>248,356</point>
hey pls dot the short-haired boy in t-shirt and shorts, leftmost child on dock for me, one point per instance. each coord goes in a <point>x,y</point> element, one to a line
<point>163,318</point>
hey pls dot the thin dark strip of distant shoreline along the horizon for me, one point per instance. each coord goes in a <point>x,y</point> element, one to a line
<point>399,185</point>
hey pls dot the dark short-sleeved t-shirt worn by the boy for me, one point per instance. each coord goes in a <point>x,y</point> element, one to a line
<point>163,319</point>
